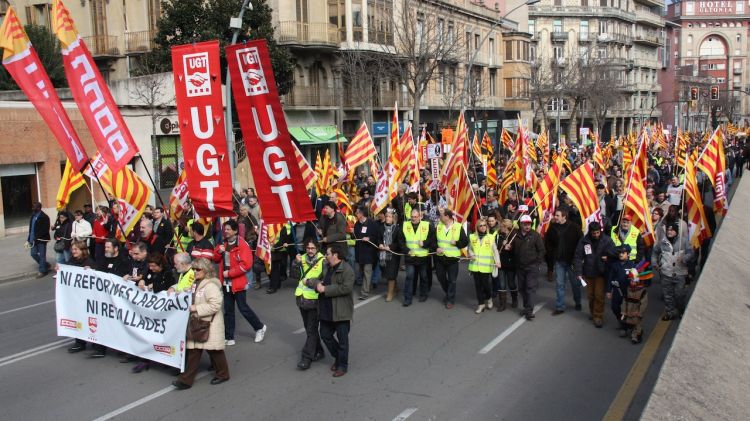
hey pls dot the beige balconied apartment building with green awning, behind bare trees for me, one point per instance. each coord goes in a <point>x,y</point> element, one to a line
<point>325,105</point>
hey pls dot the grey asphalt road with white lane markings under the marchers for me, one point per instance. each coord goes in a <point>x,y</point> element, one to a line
<point>422,363</point>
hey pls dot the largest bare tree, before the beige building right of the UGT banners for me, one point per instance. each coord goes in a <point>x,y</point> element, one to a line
<point>421,44</point>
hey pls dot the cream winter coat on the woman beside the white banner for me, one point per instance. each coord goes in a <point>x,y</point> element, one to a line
<point>208,303</point>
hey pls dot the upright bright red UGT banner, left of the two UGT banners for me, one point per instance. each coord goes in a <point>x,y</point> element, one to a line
<point>200,111</point>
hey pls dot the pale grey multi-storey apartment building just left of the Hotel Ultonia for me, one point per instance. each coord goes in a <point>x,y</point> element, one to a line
<point>627,34</point>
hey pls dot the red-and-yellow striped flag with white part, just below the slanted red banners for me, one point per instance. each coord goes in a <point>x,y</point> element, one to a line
<point>129,190</point>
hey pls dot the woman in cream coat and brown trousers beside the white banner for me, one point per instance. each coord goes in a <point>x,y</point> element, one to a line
<point>207,305</point>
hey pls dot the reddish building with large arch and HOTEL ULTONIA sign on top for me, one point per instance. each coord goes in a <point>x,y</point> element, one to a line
<point>707,46</point>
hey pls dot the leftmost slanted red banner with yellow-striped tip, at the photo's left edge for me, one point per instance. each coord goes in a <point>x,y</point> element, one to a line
<point>22,62</point>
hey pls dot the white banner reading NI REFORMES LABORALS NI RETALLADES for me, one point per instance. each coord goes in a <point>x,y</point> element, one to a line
<point>104,309</point>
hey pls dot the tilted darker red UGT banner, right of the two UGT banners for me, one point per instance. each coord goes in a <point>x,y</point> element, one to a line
<point>278,179</point>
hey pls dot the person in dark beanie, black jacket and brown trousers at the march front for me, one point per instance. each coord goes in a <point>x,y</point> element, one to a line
<point>590,265</point>
